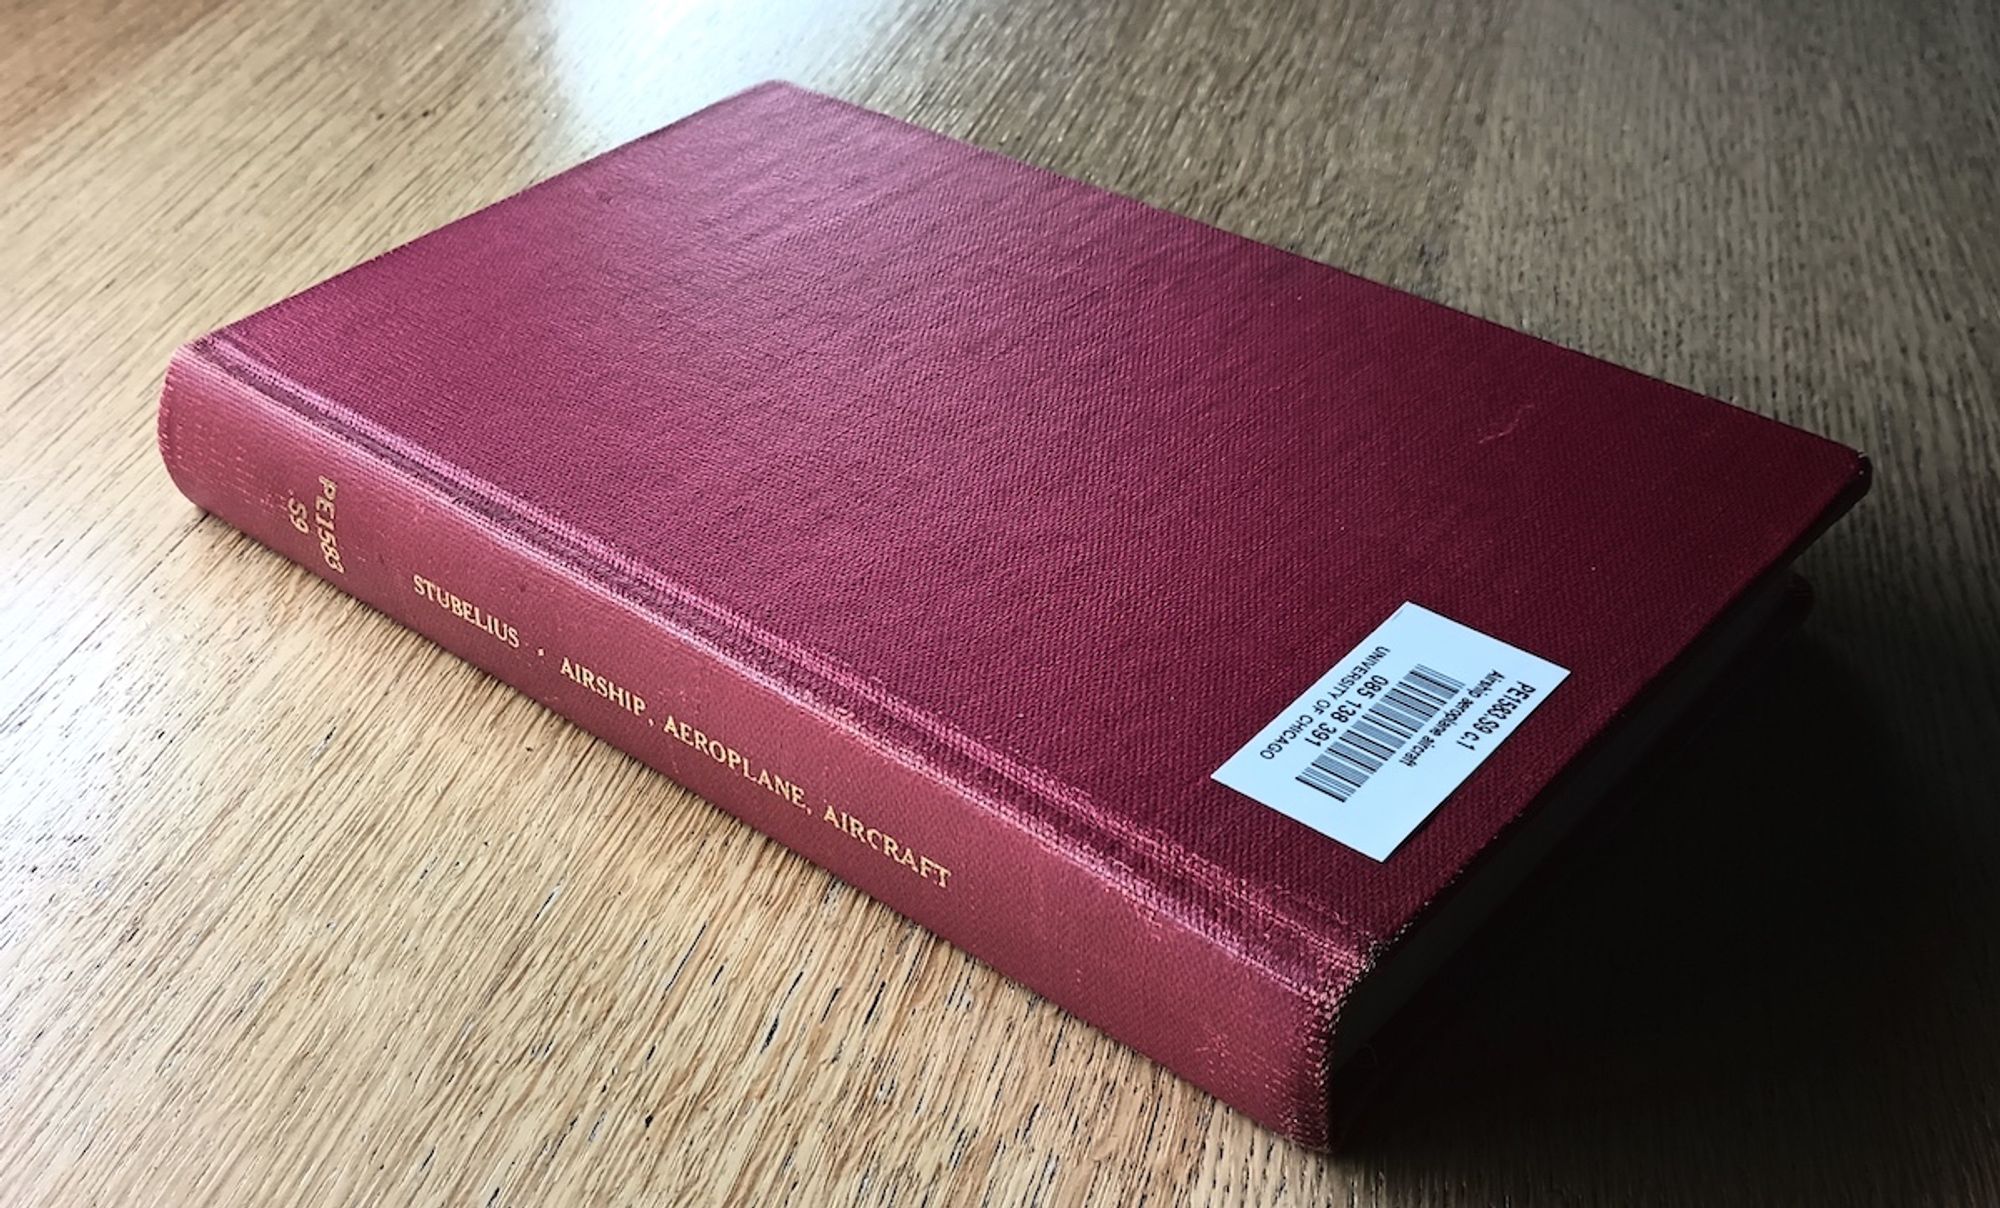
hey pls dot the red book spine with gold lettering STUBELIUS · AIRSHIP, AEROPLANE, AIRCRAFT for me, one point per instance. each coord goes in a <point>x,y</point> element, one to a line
<point>451,567</point>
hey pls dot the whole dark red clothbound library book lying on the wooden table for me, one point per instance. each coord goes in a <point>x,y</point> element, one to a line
<point>1195,633</point>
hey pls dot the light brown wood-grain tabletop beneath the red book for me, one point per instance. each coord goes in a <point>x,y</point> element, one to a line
<point>297,909</point>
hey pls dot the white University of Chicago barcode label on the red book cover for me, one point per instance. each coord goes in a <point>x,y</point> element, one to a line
<point>1381,741</point>
